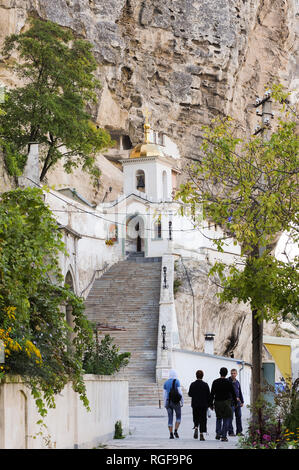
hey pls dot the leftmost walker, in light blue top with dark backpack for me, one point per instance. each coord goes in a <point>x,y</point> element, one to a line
<point>173,407</point>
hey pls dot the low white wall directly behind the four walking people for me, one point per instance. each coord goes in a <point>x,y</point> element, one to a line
<point>186,363</point>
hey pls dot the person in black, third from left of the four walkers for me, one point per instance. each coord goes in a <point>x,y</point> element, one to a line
<point>222,394</point>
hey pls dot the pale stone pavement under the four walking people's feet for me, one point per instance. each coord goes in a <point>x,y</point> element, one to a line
<point>149,430</point>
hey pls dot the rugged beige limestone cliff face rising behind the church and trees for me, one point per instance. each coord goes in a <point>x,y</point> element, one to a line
<point>185,60</point>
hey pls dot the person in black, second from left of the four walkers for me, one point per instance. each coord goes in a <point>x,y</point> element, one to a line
<point>199,391</point>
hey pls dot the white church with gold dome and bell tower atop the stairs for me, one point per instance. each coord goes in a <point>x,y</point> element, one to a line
<point>146,218</point>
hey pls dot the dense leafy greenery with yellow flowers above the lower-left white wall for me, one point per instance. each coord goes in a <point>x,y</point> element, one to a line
<point>37,339</point>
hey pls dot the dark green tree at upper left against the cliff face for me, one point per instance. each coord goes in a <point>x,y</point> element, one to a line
<point>57,71</point>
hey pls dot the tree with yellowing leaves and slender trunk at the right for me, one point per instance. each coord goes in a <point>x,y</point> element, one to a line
<point>250,188</point>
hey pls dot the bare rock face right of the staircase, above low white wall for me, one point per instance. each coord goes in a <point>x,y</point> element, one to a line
<point>199,311</point>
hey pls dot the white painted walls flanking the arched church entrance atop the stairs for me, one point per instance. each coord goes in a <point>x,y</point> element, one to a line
<point>88,255</point>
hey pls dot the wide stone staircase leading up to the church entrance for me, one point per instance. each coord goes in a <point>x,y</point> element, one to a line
<point>125,301</point>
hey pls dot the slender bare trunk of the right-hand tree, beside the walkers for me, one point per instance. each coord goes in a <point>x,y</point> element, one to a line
<point>257,353</point>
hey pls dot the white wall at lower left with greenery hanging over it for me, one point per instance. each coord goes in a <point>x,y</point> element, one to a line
<point>69,425</point>
